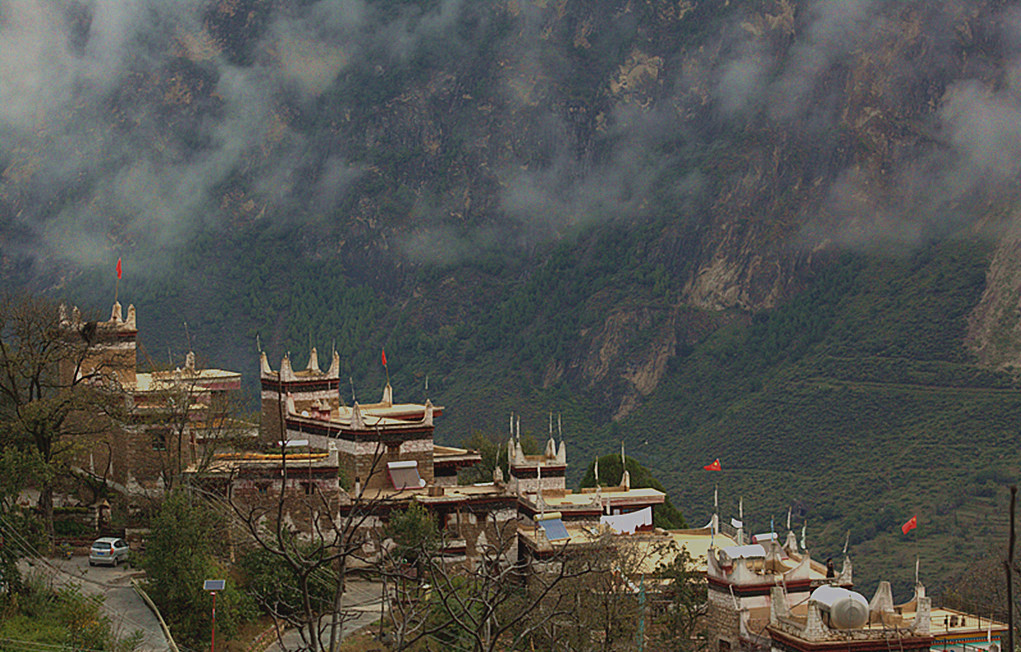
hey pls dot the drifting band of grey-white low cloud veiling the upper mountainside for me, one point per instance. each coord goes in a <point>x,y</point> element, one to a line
<point>134,125</point>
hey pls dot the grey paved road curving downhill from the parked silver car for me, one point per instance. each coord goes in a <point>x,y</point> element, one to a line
<point>126,610</point>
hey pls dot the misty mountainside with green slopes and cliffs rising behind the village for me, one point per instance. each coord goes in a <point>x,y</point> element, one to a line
<point>779,232</point>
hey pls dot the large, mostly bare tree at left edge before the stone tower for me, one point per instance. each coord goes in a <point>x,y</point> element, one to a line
<point>53,393</point>
